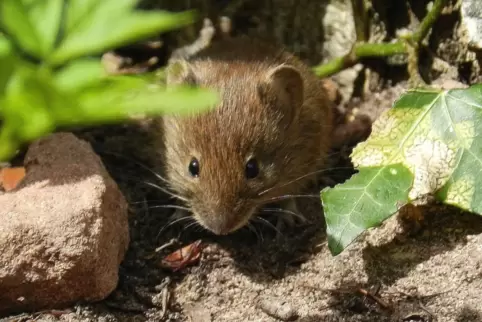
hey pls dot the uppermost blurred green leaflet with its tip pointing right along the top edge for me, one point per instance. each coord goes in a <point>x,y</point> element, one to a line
<point>97,26</point>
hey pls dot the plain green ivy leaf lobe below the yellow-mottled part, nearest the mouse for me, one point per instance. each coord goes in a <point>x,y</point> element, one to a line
<point>364,201</point>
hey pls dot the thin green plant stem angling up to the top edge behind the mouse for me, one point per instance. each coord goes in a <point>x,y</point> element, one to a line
<point>364,50</point>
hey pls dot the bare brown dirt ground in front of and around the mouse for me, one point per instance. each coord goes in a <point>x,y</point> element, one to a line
<point>391,273</point>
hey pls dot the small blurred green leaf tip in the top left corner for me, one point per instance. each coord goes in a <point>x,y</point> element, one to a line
<point>15,21</point>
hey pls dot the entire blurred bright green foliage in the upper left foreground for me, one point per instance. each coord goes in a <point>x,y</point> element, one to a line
<point>50,76</point>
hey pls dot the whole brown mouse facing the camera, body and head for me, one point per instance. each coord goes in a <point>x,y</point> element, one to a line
<point>265,141</point>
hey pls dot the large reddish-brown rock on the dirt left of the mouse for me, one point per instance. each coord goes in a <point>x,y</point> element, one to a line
<point>64,230</point>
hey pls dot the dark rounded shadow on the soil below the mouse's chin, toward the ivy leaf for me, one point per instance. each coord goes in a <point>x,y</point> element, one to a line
<point>263,258</point>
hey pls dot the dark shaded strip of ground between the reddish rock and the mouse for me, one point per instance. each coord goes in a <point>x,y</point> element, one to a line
<point>131,154</point>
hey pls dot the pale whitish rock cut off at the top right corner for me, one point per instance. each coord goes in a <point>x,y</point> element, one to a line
<point>471,11</point>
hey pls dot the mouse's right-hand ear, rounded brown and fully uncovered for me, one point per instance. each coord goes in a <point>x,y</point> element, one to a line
<point>283,86</point>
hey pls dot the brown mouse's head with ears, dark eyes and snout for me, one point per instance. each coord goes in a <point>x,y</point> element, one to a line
<point>223,161</point>
